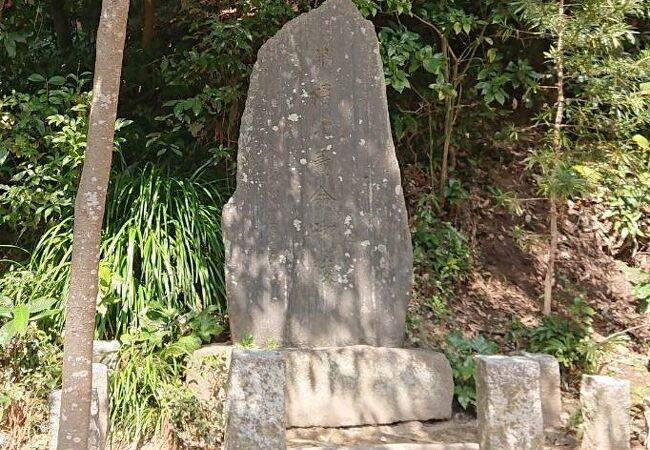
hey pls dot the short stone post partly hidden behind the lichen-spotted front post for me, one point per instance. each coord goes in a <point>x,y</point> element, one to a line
<point>551,394</point>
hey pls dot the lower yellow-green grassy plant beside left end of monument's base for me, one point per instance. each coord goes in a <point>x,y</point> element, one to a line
<point>148,383</point>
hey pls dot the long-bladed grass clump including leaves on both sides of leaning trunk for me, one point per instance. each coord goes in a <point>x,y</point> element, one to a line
<point>162,243</point>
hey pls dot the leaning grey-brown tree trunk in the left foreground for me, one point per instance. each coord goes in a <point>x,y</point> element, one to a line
<point>89,212</point>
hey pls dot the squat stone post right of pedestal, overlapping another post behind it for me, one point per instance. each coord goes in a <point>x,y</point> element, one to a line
<point>508,403</point>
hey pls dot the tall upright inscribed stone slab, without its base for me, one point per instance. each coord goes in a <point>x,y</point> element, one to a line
<point>318,250</point>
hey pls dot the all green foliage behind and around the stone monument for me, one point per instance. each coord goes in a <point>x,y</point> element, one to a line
<point>469,82</point>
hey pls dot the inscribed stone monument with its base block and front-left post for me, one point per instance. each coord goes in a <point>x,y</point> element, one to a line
<point>318,249</point>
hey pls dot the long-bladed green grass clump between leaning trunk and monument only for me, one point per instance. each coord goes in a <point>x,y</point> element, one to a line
<point>162,243</point>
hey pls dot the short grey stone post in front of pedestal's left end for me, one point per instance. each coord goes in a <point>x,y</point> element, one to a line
<point>255,401</point>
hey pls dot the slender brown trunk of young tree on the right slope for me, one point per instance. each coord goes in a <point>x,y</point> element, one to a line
<point>557,149</point>
